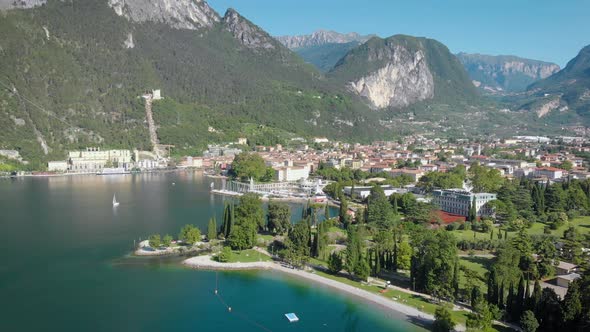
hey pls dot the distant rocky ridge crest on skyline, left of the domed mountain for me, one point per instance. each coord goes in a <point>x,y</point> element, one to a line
<point>321,37</point>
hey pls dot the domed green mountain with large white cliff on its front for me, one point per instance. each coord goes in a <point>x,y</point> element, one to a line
<point>399,71</point>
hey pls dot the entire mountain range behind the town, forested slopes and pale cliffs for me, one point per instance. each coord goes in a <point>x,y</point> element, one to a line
<point>73,74</point>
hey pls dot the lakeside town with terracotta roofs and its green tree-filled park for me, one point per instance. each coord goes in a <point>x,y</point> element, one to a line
<point>519,204</point>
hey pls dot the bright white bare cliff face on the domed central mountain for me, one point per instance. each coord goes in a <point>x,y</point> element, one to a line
<point>405,80</point>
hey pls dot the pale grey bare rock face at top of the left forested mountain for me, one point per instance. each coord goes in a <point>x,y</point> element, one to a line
<point>179,14</point>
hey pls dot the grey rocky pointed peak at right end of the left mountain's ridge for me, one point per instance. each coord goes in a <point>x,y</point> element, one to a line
<point>246,32</point>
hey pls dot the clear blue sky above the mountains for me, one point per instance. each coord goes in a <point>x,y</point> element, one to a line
<point>550,30</point>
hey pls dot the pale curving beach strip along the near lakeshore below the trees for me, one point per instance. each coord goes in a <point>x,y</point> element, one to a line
<point>410,313</point>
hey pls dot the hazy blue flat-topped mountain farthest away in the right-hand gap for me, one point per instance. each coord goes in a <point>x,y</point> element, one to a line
<point>505,73</point>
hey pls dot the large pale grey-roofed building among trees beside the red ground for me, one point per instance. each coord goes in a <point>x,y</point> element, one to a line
<point>458,201</point>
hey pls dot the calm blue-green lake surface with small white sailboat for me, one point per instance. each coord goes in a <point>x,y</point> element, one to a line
<point>63,265</point>
